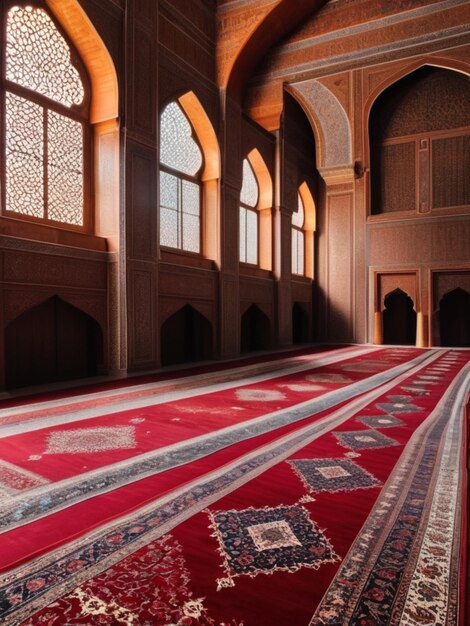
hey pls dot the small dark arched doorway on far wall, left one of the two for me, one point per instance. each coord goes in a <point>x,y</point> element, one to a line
<point>399,319</point>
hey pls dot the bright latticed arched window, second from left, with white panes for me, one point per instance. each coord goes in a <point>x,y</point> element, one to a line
<point>181,162</point>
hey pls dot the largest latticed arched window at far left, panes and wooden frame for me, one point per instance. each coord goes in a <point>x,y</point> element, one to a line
<point>45,131</point>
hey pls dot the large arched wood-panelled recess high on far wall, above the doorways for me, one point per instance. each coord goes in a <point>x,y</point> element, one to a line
<point>419,154</point>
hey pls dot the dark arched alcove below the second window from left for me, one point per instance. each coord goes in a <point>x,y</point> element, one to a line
<point>186,337</point>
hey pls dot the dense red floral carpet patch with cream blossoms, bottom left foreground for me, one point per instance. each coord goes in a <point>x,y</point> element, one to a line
<point>151,587</point>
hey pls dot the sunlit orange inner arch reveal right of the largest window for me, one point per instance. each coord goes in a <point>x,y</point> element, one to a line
<point>103,114</point>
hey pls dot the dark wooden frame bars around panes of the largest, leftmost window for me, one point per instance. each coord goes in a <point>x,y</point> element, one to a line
<point>77,113</point>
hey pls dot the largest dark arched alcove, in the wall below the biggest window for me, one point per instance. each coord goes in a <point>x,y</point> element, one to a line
<point>51,342</point>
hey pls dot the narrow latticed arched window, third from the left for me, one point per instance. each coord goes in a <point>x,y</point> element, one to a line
<point>249,216</point>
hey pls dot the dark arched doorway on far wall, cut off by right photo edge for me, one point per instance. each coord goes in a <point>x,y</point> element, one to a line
<point>454,318</point>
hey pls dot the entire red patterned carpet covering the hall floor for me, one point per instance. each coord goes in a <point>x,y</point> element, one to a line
<point>319,489</point>
